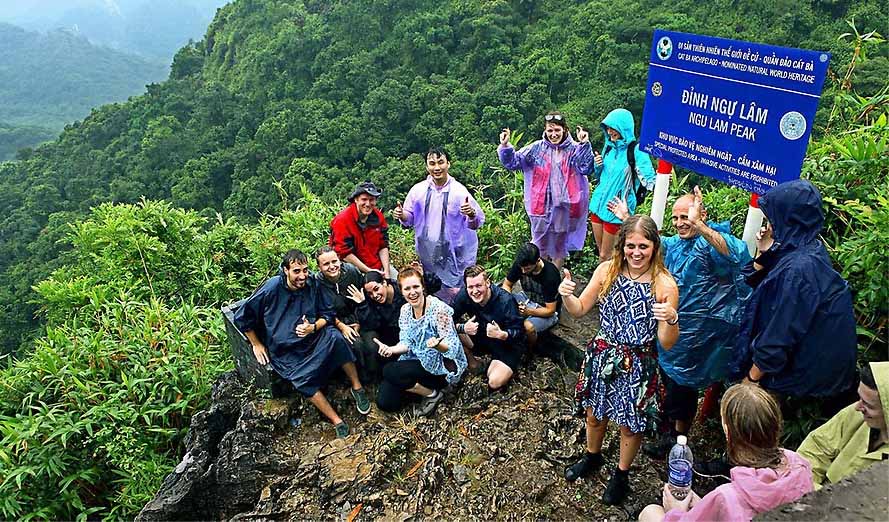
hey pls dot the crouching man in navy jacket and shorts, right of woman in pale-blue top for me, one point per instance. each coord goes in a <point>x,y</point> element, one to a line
<point>493,326</point>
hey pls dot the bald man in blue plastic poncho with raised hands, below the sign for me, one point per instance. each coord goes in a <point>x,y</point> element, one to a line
<point>706,260</point>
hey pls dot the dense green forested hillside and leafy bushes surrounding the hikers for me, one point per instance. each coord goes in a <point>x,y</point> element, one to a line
<point>286,105</point>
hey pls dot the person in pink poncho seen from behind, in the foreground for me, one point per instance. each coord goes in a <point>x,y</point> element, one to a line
<point>765,476</point>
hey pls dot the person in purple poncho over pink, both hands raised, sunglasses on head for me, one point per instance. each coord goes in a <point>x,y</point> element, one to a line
<point>557,191</point>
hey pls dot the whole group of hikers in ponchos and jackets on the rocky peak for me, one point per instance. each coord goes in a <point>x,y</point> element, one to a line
<point>677,315</point>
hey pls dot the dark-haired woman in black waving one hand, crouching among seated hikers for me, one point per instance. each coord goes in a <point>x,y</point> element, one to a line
<point>378,305</point>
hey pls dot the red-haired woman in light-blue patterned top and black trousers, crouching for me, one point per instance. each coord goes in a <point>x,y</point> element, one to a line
<point>431,356</point>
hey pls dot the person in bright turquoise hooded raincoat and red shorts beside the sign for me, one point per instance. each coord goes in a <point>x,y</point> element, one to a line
<point>612,170</point>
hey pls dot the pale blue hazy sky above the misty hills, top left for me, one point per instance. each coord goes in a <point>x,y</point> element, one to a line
<point>155,29</point>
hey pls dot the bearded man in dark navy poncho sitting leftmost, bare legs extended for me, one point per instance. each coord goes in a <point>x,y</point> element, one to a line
<point>285,321</point>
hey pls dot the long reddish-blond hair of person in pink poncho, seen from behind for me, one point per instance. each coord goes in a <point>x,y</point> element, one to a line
<point>753,426</point>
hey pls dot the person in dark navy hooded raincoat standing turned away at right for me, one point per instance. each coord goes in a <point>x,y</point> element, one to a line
<point>798,338</point>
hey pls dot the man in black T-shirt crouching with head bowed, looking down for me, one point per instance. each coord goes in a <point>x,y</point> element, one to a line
<point>539,301</point>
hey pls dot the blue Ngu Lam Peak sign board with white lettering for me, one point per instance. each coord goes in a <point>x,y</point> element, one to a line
<point>735,111</point>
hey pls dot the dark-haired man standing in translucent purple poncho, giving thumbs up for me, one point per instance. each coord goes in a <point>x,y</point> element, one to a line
<point>445,217</point>
